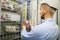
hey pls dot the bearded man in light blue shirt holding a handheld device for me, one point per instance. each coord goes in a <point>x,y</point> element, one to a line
<point>48,30</point>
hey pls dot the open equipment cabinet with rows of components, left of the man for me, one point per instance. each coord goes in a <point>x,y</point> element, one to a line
<point>10,20</point>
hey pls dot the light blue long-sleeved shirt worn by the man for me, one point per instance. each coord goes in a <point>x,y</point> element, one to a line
<point>48,30</point>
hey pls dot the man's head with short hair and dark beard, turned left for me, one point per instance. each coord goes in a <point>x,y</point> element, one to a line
<point>46,11</point>
